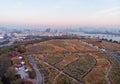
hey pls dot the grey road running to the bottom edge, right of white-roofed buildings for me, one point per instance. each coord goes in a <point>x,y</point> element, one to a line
<point>39,76</point>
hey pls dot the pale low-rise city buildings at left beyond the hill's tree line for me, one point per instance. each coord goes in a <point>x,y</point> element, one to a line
<point>25,34</point>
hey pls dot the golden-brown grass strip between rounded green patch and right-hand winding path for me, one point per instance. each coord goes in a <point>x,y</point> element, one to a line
<point>98,73</point>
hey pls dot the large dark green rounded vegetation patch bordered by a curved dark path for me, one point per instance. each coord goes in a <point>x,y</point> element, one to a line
<point>78,68</point>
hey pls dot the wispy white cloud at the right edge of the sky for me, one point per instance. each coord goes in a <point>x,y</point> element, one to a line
<point>111,16</point>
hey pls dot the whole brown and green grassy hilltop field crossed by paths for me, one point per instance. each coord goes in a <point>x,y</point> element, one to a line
<point>72,62</point>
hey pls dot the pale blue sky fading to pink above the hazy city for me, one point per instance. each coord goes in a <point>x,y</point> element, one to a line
<point>60,12</point>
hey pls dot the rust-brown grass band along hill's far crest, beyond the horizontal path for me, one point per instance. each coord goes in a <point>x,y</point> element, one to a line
<point>59,46</point>
